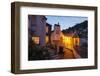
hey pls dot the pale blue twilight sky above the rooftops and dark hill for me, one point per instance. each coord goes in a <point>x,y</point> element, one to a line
<point>65,21</point>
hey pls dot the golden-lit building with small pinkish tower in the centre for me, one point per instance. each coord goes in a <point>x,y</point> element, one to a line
<point>64,40</point>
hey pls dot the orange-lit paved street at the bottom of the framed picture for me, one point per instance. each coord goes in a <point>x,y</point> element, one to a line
<point>68,54</point>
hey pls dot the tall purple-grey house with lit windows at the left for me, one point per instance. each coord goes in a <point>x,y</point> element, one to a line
<point>38,29</point>
